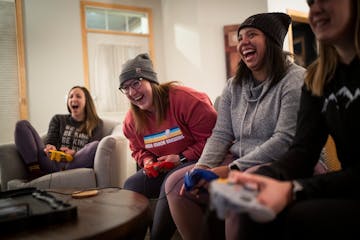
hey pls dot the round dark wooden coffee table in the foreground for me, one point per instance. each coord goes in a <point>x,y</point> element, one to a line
<point>112,214</point>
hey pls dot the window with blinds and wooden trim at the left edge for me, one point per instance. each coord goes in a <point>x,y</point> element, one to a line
<point>13,102</point>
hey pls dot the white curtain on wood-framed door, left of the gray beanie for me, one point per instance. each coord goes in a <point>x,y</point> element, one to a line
<point>107,53</point>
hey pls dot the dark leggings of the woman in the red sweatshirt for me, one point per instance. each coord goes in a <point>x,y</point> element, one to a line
<point>162,226</point>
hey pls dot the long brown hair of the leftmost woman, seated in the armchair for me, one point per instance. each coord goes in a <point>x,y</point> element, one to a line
<point>92,119</point>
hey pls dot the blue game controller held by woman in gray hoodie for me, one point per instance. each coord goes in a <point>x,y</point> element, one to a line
<point>191,178</point>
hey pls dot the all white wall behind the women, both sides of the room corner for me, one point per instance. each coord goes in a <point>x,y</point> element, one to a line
<point>188,44</point>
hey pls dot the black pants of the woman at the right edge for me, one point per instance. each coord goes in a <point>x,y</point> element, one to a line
<point>310,219</point>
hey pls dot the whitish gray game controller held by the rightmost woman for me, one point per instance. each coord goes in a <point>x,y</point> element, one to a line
<point>226,197</point>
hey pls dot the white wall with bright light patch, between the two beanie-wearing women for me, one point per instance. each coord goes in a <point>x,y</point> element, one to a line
<point>194,39</point>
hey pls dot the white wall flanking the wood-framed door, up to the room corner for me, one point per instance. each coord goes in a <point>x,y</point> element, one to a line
<point>54,53</point>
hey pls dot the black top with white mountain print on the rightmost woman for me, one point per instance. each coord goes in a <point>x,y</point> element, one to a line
<point>336,113</point>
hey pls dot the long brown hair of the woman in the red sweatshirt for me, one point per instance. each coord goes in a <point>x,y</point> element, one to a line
<point>160,102</point>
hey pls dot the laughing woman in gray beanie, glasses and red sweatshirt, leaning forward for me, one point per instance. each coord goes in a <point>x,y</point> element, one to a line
<point>167,127</point>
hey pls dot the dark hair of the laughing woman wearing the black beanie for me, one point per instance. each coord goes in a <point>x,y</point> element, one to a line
<point>276,64</point>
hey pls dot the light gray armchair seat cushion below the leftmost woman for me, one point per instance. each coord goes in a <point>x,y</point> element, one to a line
<point>79,178</point>
